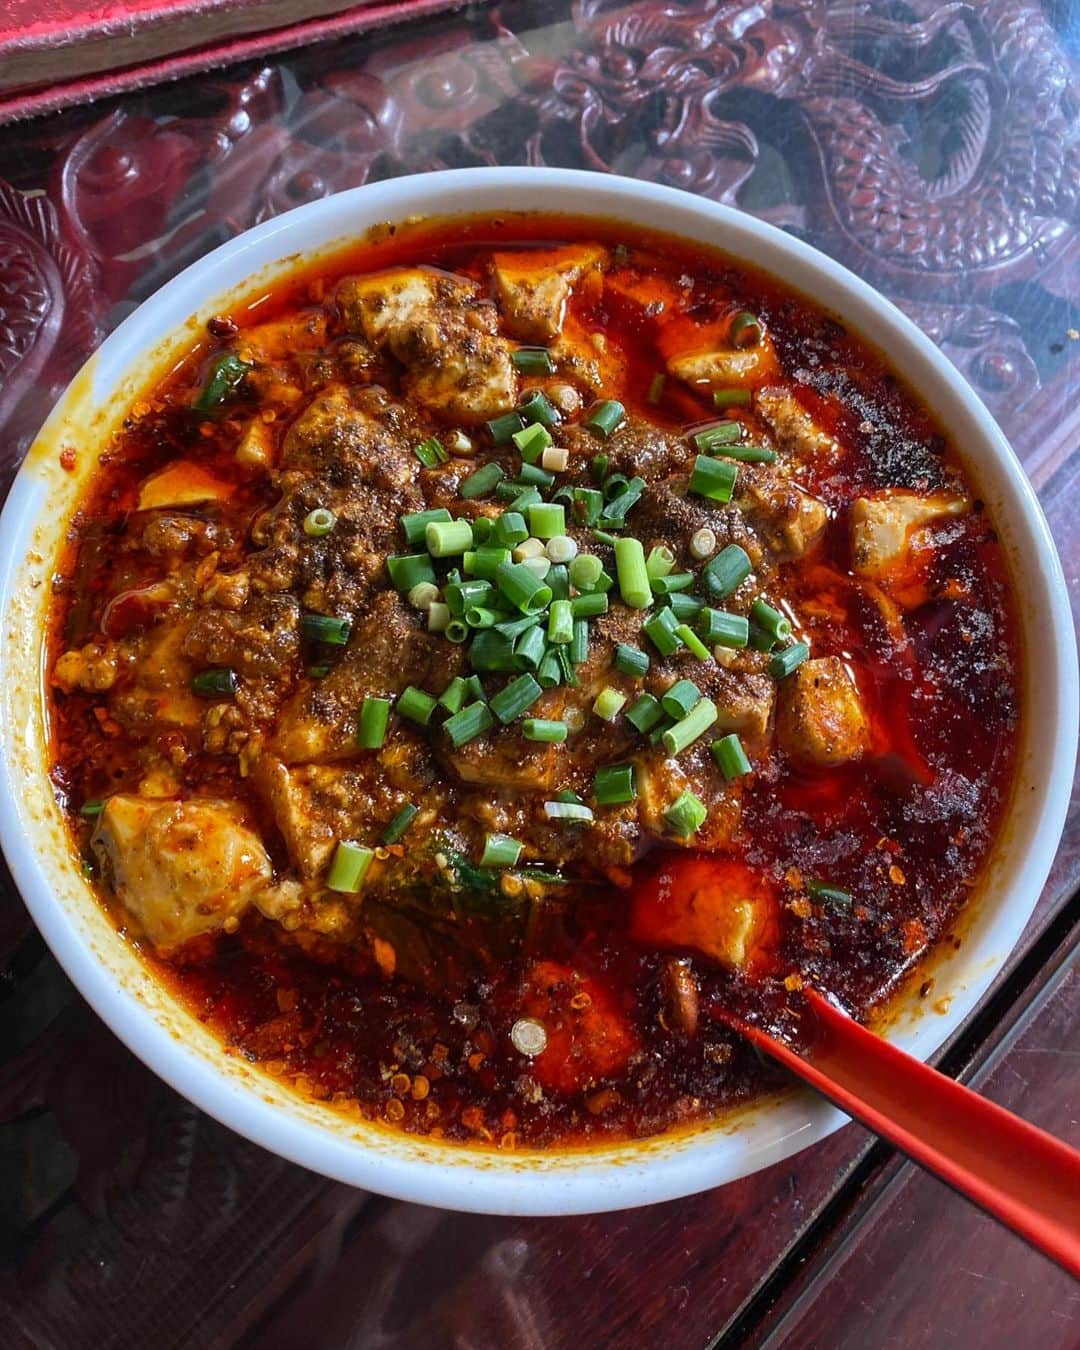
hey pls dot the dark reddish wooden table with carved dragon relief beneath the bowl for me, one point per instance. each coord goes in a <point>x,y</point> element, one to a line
<point>130,1220</point>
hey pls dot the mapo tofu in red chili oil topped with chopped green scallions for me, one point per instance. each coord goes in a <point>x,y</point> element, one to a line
<point>503,657</point>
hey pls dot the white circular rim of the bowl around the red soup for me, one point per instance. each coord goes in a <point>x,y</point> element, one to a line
<point>454,1177</point>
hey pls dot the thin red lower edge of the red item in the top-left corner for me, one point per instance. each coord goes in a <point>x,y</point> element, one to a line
<point>36,103</point>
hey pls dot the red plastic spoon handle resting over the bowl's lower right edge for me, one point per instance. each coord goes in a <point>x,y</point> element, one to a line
<point>1025,1178</point>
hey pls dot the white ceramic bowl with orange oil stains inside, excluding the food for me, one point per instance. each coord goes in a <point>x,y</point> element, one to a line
<point>178,1047</point>
